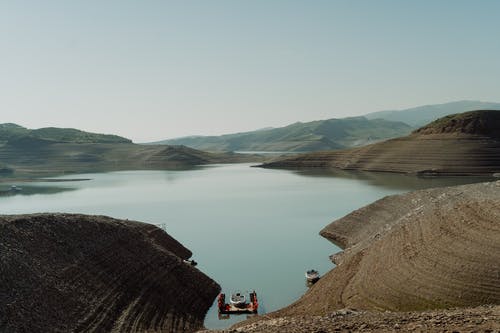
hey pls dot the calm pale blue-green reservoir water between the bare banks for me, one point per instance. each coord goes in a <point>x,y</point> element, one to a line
<point>248,228</point>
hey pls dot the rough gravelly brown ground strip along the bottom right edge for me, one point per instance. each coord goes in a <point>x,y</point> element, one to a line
<point>479,319</point>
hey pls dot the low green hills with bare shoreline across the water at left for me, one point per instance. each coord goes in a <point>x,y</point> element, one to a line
<point>54,151</point>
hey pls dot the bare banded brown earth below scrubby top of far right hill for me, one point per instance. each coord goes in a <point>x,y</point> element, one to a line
<point>416,154</point>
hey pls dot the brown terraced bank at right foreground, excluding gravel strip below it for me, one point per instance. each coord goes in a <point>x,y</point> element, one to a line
<point>428,249</point>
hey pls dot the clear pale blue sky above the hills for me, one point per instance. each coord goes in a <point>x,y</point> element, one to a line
<point>150,70</point>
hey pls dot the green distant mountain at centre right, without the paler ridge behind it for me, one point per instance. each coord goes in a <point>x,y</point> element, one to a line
<point>310,136</point>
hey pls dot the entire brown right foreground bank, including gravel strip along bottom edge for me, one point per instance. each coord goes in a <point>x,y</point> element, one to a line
<point>428,250</point>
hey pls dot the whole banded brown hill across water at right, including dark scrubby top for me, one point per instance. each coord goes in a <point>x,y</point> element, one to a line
<point>462,144</point>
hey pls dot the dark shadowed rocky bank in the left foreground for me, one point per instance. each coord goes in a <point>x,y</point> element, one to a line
<point>77,273</point>
